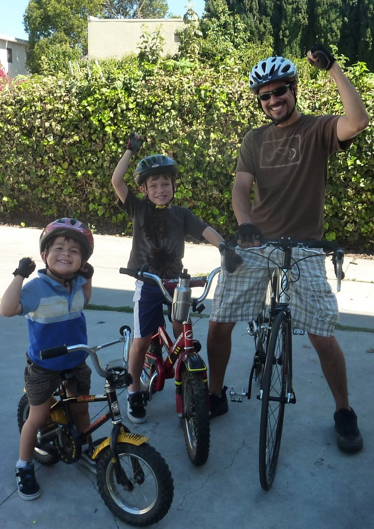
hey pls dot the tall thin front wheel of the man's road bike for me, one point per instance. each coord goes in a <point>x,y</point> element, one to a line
<point>273,388</point>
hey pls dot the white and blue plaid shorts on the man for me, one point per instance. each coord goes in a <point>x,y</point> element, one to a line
<point>239,296</point>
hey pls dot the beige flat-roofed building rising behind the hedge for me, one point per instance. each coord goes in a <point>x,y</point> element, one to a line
<point>114,38</point>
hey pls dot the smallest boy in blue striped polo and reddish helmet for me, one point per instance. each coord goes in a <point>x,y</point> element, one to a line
<point>53,304</point>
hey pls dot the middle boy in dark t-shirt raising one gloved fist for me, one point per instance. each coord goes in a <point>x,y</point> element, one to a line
<point>159,231</point>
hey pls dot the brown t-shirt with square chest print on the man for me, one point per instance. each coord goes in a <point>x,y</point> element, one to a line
<point>289,165</point>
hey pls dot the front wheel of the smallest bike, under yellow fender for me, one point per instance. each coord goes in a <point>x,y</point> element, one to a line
<point>150,495</point>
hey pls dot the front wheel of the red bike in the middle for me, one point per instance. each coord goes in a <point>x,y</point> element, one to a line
<point>195,420</point>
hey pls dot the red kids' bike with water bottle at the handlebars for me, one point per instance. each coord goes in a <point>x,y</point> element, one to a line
<point>181,361</point>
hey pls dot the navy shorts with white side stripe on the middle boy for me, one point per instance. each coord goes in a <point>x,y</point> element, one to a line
<point>148,309</point>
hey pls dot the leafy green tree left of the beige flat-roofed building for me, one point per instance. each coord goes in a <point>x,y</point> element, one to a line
<point>56,24</point>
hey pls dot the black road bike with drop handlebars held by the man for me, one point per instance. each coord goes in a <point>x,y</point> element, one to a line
<point>272,332</point>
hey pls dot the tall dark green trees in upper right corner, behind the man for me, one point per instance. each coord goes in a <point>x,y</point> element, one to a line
<point>295,25</point>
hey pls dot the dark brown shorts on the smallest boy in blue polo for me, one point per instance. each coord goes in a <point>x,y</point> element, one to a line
<point>42,383</point>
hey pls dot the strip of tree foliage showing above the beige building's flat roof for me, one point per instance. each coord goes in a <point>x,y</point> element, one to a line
<point>135,8</point>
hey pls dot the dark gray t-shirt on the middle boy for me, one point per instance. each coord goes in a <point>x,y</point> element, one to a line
<point>159,235</point>
